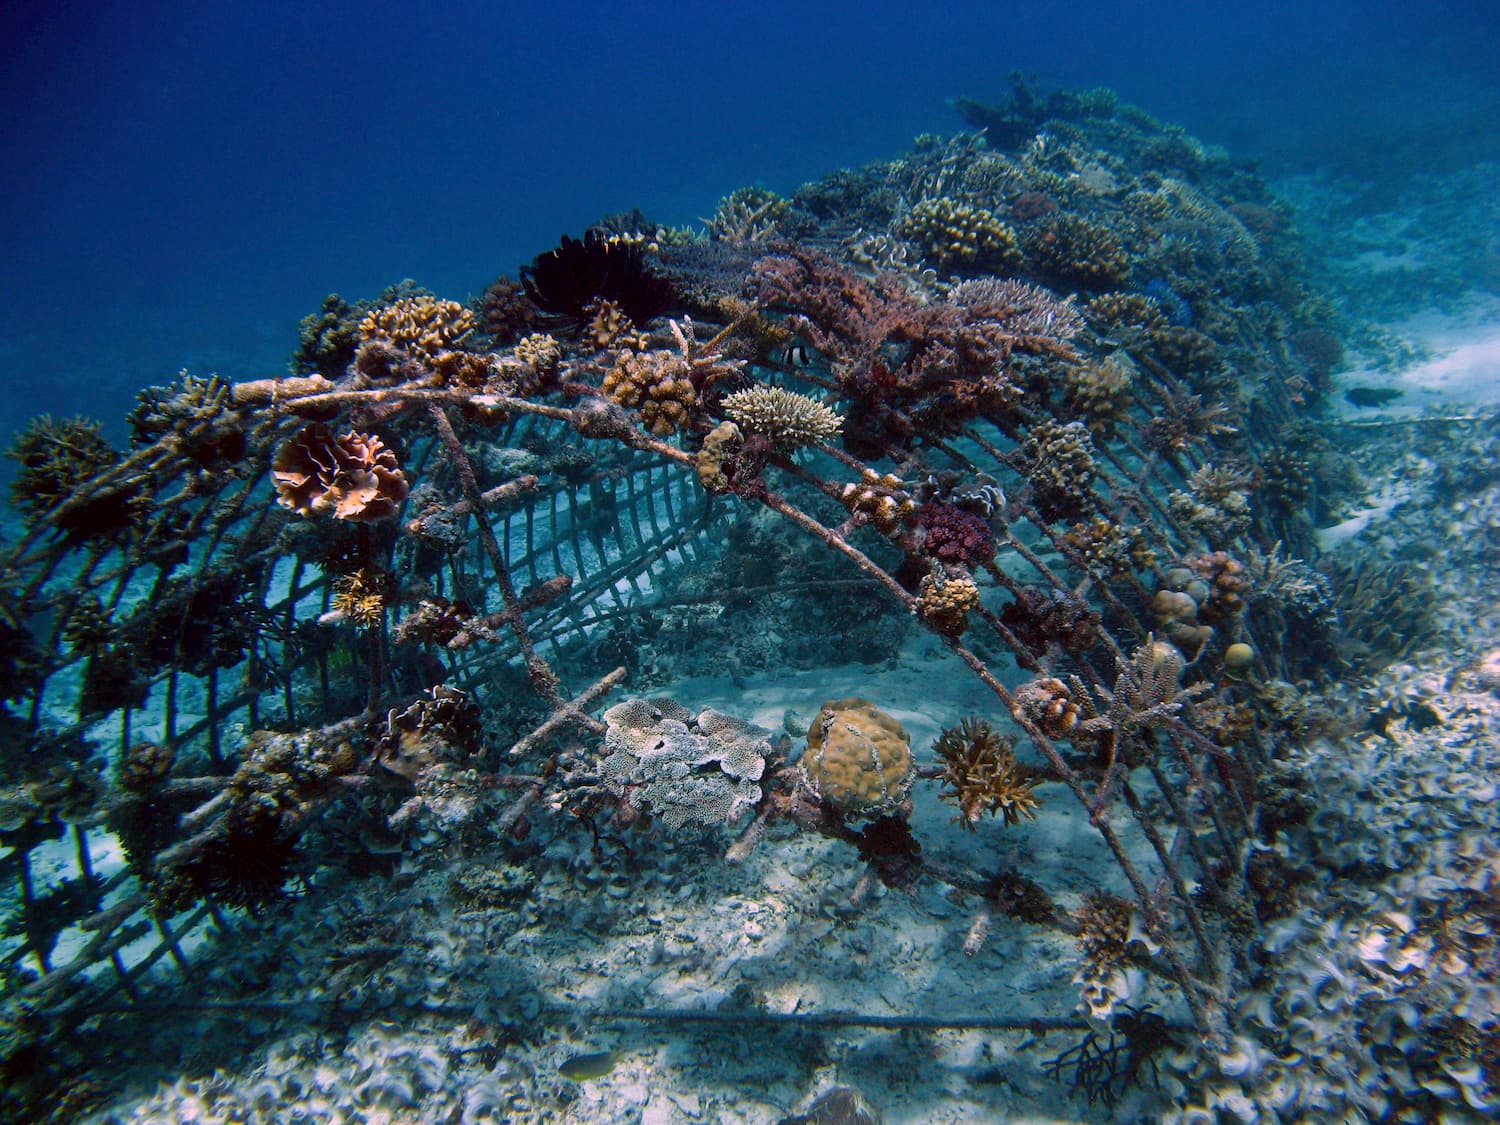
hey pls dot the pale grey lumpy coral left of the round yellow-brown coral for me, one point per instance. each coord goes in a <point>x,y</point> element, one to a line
<point>680,767</point>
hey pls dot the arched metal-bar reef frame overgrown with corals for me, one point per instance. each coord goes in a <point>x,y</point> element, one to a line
<point>991,409</point>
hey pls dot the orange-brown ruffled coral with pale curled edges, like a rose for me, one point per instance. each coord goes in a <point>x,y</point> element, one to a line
<point>352,478</point>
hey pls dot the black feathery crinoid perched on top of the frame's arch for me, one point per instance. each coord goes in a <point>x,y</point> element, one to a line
<point>568,284</point>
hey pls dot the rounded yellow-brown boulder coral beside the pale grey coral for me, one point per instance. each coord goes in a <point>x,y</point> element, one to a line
<point>859,758</point>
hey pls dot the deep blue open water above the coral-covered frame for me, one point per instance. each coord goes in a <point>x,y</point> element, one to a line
<point>182,182</point>
